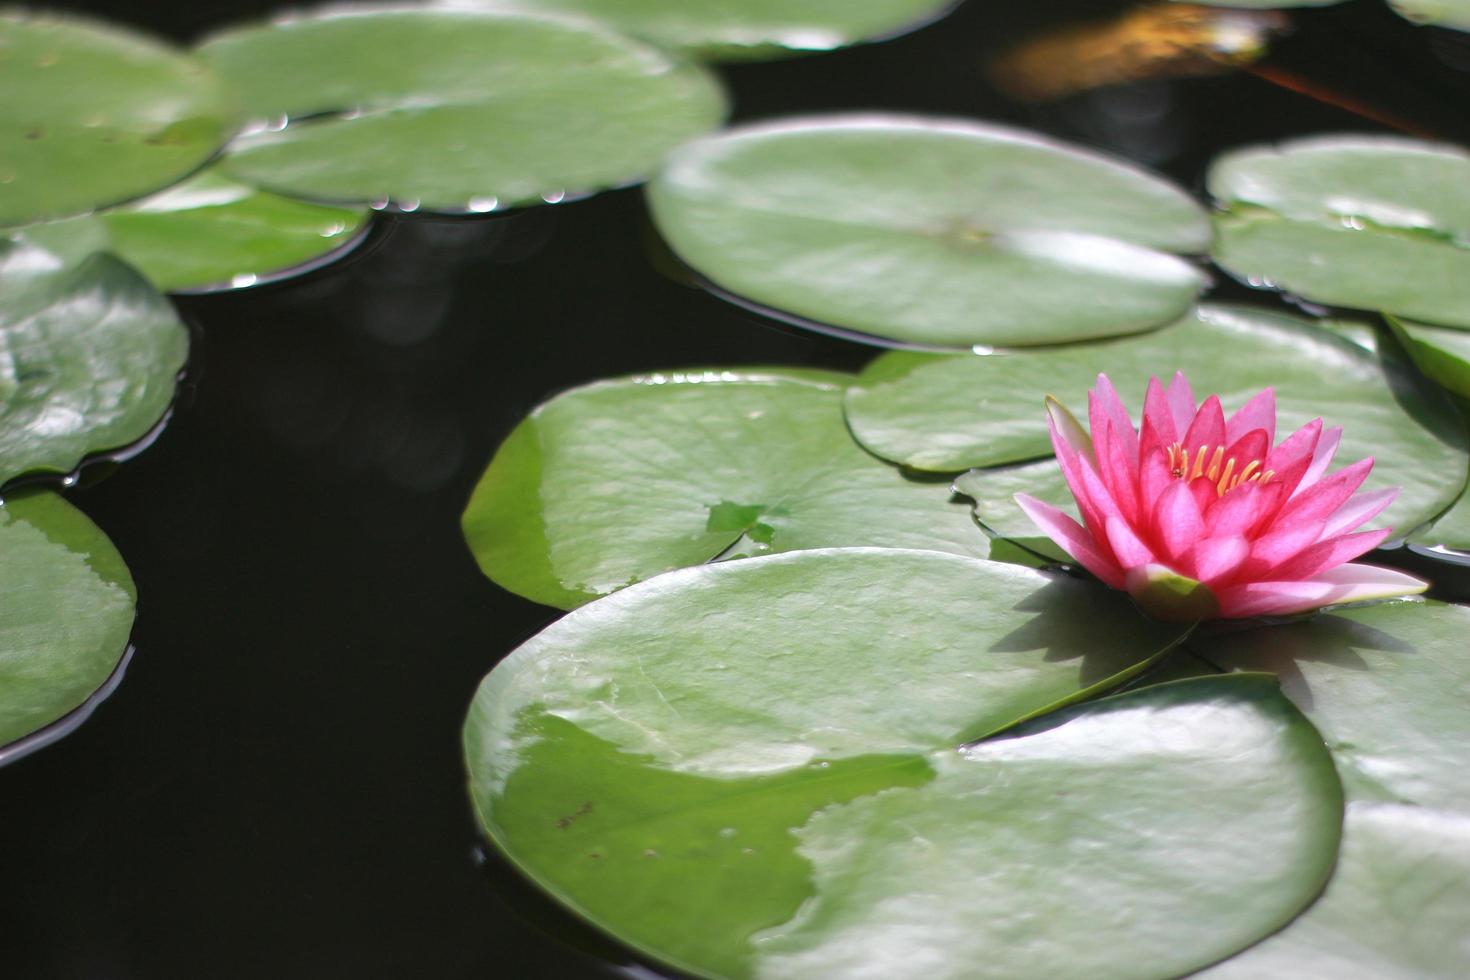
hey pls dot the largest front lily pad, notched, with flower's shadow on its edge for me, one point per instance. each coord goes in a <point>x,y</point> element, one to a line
<point>750,769</point>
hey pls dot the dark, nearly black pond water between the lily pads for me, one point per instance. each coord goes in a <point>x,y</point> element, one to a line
<point>276,790</point>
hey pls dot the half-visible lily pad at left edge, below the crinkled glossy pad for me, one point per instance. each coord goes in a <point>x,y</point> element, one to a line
<point>67,605</point>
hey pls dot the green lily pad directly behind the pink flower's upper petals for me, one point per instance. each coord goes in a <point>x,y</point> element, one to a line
<point>962,411</point>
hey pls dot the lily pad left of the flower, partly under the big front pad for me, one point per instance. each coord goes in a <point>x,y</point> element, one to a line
<point>615,483</point>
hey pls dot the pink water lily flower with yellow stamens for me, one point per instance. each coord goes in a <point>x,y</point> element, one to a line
<point>1200,516</point>
